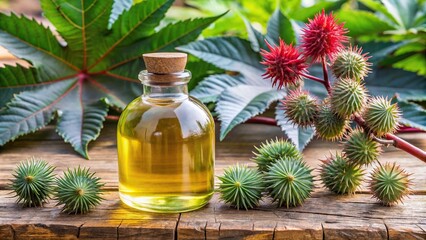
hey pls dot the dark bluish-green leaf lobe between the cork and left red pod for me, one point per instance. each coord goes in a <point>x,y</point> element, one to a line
<point>229,53</point>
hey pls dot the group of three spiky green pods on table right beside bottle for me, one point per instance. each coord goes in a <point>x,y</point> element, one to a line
<point>283,175</point>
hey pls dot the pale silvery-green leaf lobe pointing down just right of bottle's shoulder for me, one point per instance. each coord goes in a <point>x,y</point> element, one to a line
<point>238,104</point>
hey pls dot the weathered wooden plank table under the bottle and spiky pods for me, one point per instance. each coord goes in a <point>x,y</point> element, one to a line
<point>323,216</point>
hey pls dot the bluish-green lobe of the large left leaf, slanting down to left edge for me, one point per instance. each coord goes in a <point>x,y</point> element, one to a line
<point>30,111</point>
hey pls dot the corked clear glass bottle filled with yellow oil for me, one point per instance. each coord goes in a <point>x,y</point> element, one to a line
<point>165,141</point>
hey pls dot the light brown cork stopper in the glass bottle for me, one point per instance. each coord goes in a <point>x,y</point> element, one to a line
<point>165,62</point>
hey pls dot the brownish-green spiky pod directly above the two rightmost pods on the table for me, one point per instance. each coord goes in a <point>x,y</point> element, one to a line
<point>361,149</point>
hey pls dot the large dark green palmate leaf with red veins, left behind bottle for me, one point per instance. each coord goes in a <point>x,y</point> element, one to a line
<point>92,67</point>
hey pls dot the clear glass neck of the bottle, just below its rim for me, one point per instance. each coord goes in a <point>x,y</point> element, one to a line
<point>165,92</point>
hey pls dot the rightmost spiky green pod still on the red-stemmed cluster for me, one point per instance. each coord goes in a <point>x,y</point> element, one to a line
<point>381,116</point>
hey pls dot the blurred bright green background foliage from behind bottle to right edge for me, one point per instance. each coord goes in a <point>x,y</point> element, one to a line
<point>373,24</point>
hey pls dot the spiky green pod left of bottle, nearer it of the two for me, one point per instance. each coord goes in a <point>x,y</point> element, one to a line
<point>78,190</point>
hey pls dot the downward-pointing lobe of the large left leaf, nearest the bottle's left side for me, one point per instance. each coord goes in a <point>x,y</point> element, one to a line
<point>80,123</point>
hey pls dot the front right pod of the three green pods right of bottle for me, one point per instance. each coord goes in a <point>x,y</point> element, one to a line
<point>289,182</point>
